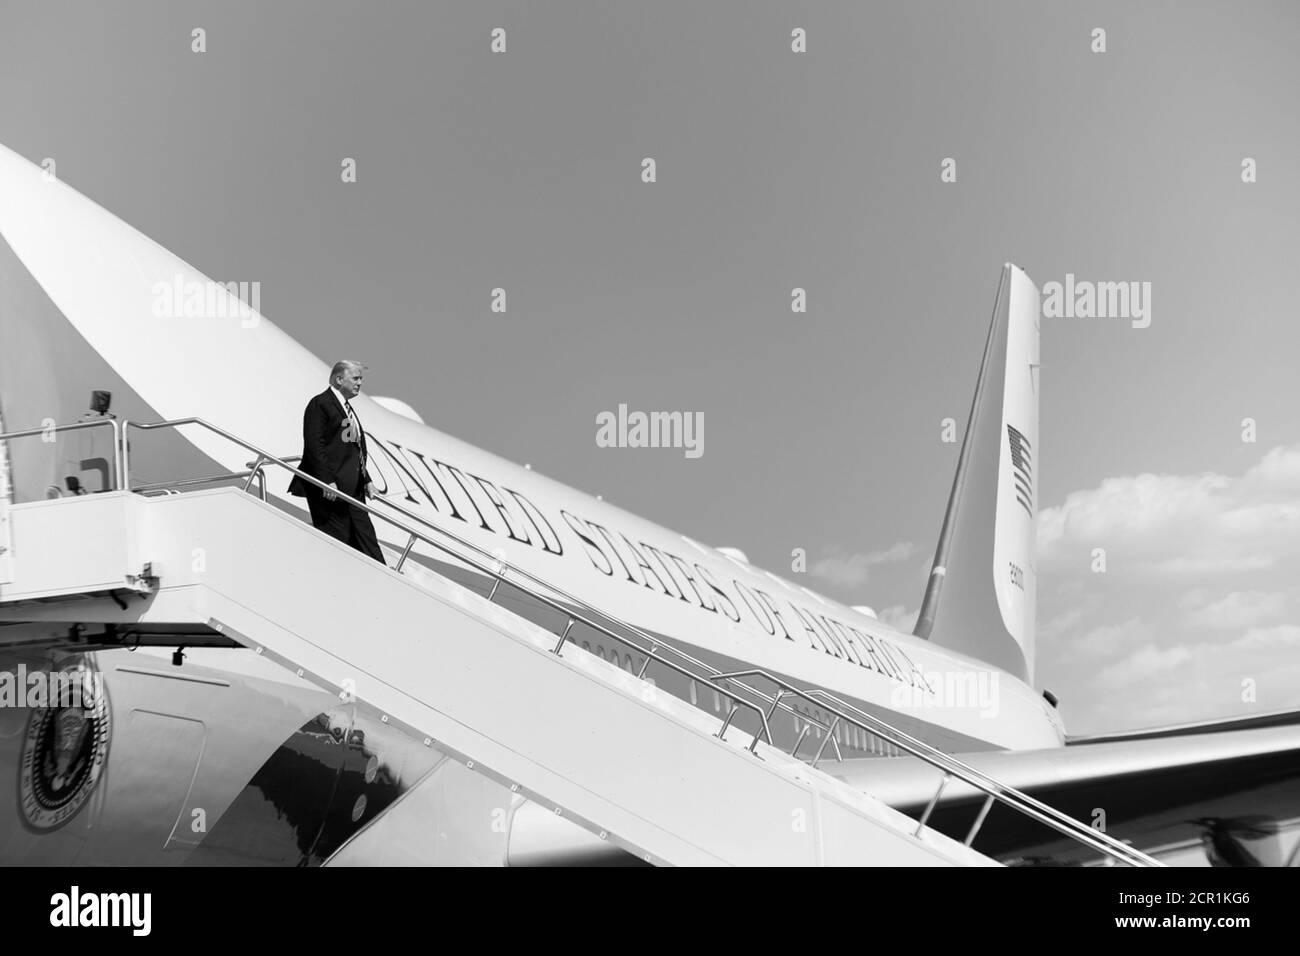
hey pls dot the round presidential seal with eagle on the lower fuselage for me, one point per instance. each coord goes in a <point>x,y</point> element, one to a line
<point>64,751</point>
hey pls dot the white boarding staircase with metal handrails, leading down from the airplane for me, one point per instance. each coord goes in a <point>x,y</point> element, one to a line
<point>573,733</point>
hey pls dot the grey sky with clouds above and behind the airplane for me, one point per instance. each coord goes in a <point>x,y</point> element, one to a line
<point>774,171</point>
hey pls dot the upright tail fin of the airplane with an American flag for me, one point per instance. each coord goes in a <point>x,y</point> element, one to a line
<point>982,590</point>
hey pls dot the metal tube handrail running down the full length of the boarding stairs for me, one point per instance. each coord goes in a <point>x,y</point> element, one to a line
<point>497,569</point>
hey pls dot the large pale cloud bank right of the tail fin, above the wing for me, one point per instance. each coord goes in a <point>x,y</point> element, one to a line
<point>1198,613</point>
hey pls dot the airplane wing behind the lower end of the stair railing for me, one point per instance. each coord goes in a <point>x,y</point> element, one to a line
<point>1224,794</point>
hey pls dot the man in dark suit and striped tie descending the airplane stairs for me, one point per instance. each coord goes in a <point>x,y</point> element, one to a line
<point>335,452</point>
